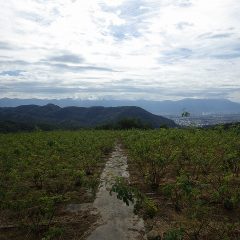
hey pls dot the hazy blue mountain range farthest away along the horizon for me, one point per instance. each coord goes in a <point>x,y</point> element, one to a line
<point>194,106</point>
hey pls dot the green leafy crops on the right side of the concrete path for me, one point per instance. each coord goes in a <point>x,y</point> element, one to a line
<point>193,177</point>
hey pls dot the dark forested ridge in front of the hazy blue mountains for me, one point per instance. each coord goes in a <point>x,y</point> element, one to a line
<point>79,116</point>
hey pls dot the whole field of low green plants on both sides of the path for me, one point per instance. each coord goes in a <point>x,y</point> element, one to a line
<point>185,183</point>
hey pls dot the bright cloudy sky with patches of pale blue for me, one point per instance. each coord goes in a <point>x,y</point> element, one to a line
<point>120,49</point>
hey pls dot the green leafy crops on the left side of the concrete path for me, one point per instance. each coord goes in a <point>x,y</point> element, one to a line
<point>42,171</point>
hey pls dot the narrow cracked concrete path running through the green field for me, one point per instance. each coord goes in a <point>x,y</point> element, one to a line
<point>118,222</point>
